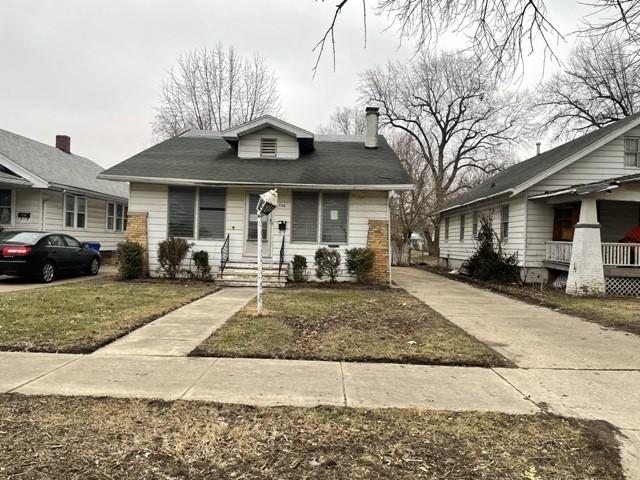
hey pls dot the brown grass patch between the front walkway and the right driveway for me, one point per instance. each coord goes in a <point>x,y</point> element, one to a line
<point>343,323</point>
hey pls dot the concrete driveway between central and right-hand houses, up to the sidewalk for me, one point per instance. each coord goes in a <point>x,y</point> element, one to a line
<point>528,335</point>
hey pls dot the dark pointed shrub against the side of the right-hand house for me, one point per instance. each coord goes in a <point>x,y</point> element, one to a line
<point>488,264</point>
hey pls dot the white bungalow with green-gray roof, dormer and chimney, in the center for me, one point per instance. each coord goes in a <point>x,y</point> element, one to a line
<point>333,191</point>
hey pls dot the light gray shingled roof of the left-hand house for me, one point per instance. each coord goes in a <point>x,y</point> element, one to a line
<point>56,167</point>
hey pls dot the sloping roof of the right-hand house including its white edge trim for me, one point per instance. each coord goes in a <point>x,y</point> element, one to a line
<point>525,174</point>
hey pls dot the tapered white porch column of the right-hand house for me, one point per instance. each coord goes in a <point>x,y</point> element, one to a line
<point>586,272</point>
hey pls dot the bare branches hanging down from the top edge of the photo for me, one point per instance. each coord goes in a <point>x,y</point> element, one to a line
<point>499,32</point>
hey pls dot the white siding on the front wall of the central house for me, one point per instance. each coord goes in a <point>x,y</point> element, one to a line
<point>152,199</point>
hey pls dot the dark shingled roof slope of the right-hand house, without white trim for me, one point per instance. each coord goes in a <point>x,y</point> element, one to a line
<point>516,175</point>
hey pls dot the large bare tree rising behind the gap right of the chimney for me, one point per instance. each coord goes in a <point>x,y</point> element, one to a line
<point>452,109</point>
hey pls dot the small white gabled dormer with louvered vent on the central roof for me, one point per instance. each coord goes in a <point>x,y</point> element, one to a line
<point>269,138</point>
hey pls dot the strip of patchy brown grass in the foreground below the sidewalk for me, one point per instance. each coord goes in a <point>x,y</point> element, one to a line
<point>70,437</point>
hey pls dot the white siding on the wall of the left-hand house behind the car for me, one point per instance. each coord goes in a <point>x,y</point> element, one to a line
<point>29,200</point>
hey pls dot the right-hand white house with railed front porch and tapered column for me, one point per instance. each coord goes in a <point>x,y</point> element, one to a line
<point>571,213</point>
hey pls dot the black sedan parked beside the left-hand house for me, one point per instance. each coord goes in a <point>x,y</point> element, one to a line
<point>45,256</point>
